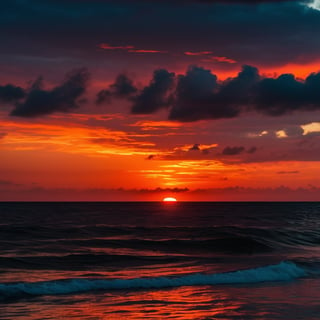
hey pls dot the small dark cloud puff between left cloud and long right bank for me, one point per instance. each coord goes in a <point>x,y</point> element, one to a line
<point>123,87</point>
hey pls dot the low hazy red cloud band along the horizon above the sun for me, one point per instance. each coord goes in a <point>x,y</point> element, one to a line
<point>232,193</point>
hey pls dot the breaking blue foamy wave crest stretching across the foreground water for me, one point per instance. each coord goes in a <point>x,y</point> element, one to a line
<point>284,271</point>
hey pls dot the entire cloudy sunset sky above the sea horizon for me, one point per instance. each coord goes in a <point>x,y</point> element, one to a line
<point>209,100</point>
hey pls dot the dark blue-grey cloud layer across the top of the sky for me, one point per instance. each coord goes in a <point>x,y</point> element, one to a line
<point>230,28</point>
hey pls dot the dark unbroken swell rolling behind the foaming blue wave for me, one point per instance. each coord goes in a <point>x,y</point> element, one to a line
<point>229,239</point>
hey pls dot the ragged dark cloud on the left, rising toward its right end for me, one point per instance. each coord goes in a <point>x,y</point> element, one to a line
<point>62,98</point>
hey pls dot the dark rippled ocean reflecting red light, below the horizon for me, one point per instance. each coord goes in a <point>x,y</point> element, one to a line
<point>149,260</point>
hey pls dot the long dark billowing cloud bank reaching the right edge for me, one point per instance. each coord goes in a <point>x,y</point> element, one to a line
<point>198,95</point>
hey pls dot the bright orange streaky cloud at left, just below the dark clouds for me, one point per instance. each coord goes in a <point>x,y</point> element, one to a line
<point>72,138</point>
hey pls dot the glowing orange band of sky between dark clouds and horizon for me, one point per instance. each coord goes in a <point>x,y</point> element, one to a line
<point>64,152</point>
